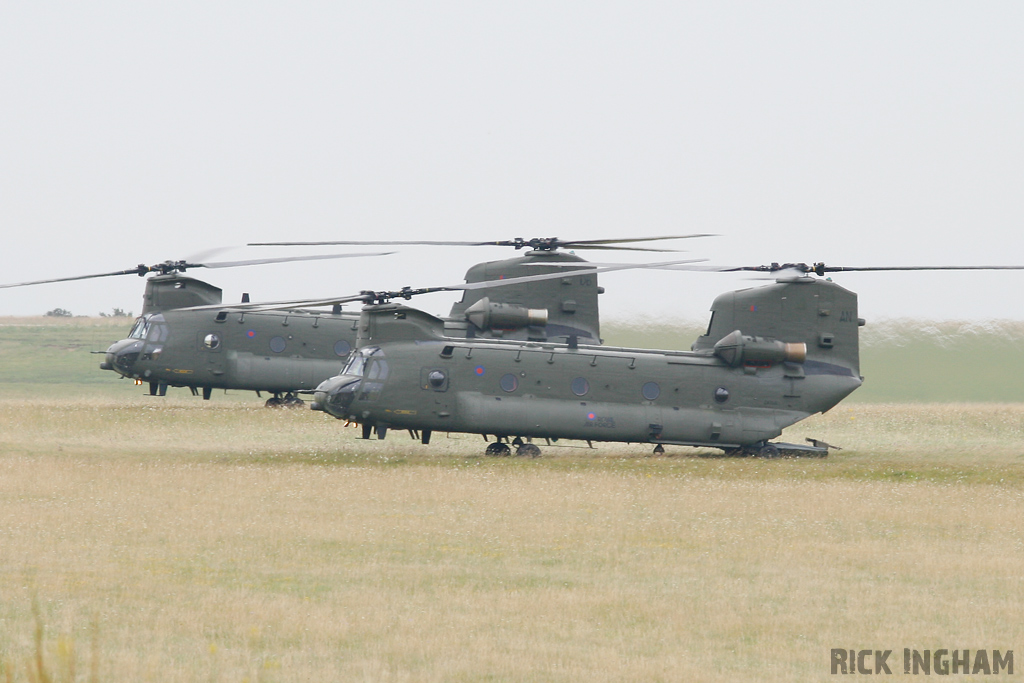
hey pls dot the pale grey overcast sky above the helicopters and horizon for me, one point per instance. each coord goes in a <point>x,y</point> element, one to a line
<point>859,134</point>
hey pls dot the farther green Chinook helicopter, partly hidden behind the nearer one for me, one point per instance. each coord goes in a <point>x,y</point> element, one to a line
<point>186,337</point>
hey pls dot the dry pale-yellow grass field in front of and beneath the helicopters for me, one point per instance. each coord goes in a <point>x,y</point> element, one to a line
<point>219,542</point>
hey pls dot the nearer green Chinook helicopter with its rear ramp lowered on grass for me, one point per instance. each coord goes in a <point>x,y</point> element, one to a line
<point>772,357</point>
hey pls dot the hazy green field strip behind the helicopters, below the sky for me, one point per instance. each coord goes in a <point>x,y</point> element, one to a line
<point>902,360</point>
